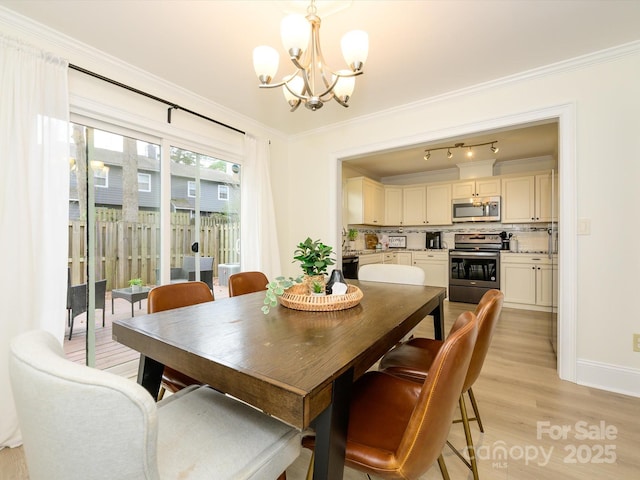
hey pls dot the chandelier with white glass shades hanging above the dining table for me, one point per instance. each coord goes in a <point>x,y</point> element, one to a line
<point>313,82</point>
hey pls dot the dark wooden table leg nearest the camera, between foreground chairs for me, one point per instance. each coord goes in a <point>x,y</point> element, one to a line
<point>331,431</point>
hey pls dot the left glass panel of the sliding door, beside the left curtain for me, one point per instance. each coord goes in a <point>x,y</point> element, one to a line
<point>114,220</point>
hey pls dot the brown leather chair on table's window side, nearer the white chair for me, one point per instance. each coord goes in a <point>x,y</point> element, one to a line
<point>175,295</point>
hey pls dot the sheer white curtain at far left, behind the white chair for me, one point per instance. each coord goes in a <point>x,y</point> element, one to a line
<point>34,202</point>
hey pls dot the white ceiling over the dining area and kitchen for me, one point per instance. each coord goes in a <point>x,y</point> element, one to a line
<point>418,49</point>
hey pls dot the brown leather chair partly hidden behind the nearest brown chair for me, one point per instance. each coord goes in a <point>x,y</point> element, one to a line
<point>413,359</point>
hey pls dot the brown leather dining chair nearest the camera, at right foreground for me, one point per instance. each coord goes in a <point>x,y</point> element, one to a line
<point>398,427</point>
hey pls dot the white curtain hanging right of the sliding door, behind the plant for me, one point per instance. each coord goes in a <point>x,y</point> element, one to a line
<point>259,238</point>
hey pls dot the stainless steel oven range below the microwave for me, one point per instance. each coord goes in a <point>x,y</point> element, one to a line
<point>474,266</point>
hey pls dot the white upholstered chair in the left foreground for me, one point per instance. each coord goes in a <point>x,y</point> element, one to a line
<point>79,423</point>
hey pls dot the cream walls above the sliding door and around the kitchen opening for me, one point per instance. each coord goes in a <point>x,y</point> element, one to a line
<point>602,92</point>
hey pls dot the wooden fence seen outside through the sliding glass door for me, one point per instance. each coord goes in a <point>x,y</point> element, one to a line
<point>127,250</point>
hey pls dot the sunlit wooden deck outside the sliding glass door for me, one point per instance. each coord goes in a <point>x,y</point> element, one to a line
<point>111,355</point>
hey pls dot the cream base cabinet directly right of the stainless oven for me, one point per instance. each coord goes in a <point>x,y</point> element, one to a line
<point>529,280</point>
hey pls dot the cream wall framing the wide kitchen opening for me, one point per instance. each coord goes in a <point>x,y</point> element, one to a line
<point>603,93</point>
